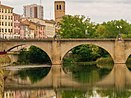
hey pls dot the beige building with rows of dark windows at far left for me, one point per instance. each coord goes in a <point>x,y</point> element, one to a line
<point>6,21</point>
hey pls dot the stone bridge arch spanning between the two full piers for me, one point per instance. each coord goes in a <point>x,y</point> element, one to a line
<point>107,47</point>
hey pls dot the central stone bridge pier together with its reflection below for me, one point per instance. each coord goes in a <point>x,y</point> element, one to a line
<point>56,64</point>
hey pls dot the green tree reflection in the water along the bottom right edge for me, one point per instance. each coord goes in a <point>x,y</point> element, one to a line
<point>108,93</point>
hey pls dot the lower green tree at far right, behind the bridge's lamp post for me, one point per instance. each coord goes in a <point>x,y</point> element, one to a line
<point>111,29</point>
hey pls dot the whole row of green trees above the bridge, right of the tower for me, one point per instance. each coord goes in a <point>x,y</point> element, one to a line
<point>81,27</point>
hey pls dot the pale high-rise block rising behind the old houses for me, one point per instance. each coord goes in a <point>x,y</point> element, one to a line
<point>34,11</point>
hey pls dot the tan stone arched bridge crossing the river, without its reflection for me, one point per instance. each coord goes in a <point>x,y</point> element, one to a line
<point>57,48</point>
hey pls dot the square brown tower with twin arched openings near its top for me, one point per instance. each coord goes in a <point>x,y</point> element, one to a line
<point>59,10</point>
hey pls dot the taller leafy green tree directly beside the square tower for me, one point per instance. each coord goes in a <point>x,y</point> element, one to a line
<point>76,27</point>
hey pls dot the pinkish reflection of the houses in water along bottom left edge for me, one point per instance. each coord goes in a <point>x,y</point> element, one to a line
<point>29,94</point>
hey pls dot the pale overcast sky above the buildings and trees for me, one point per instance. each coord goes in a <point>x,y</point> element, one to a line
<point>97,10</point>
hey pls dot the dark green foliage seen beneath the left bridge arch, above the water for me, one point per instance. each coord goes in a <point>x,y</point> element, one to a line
<point>33,55</point>
